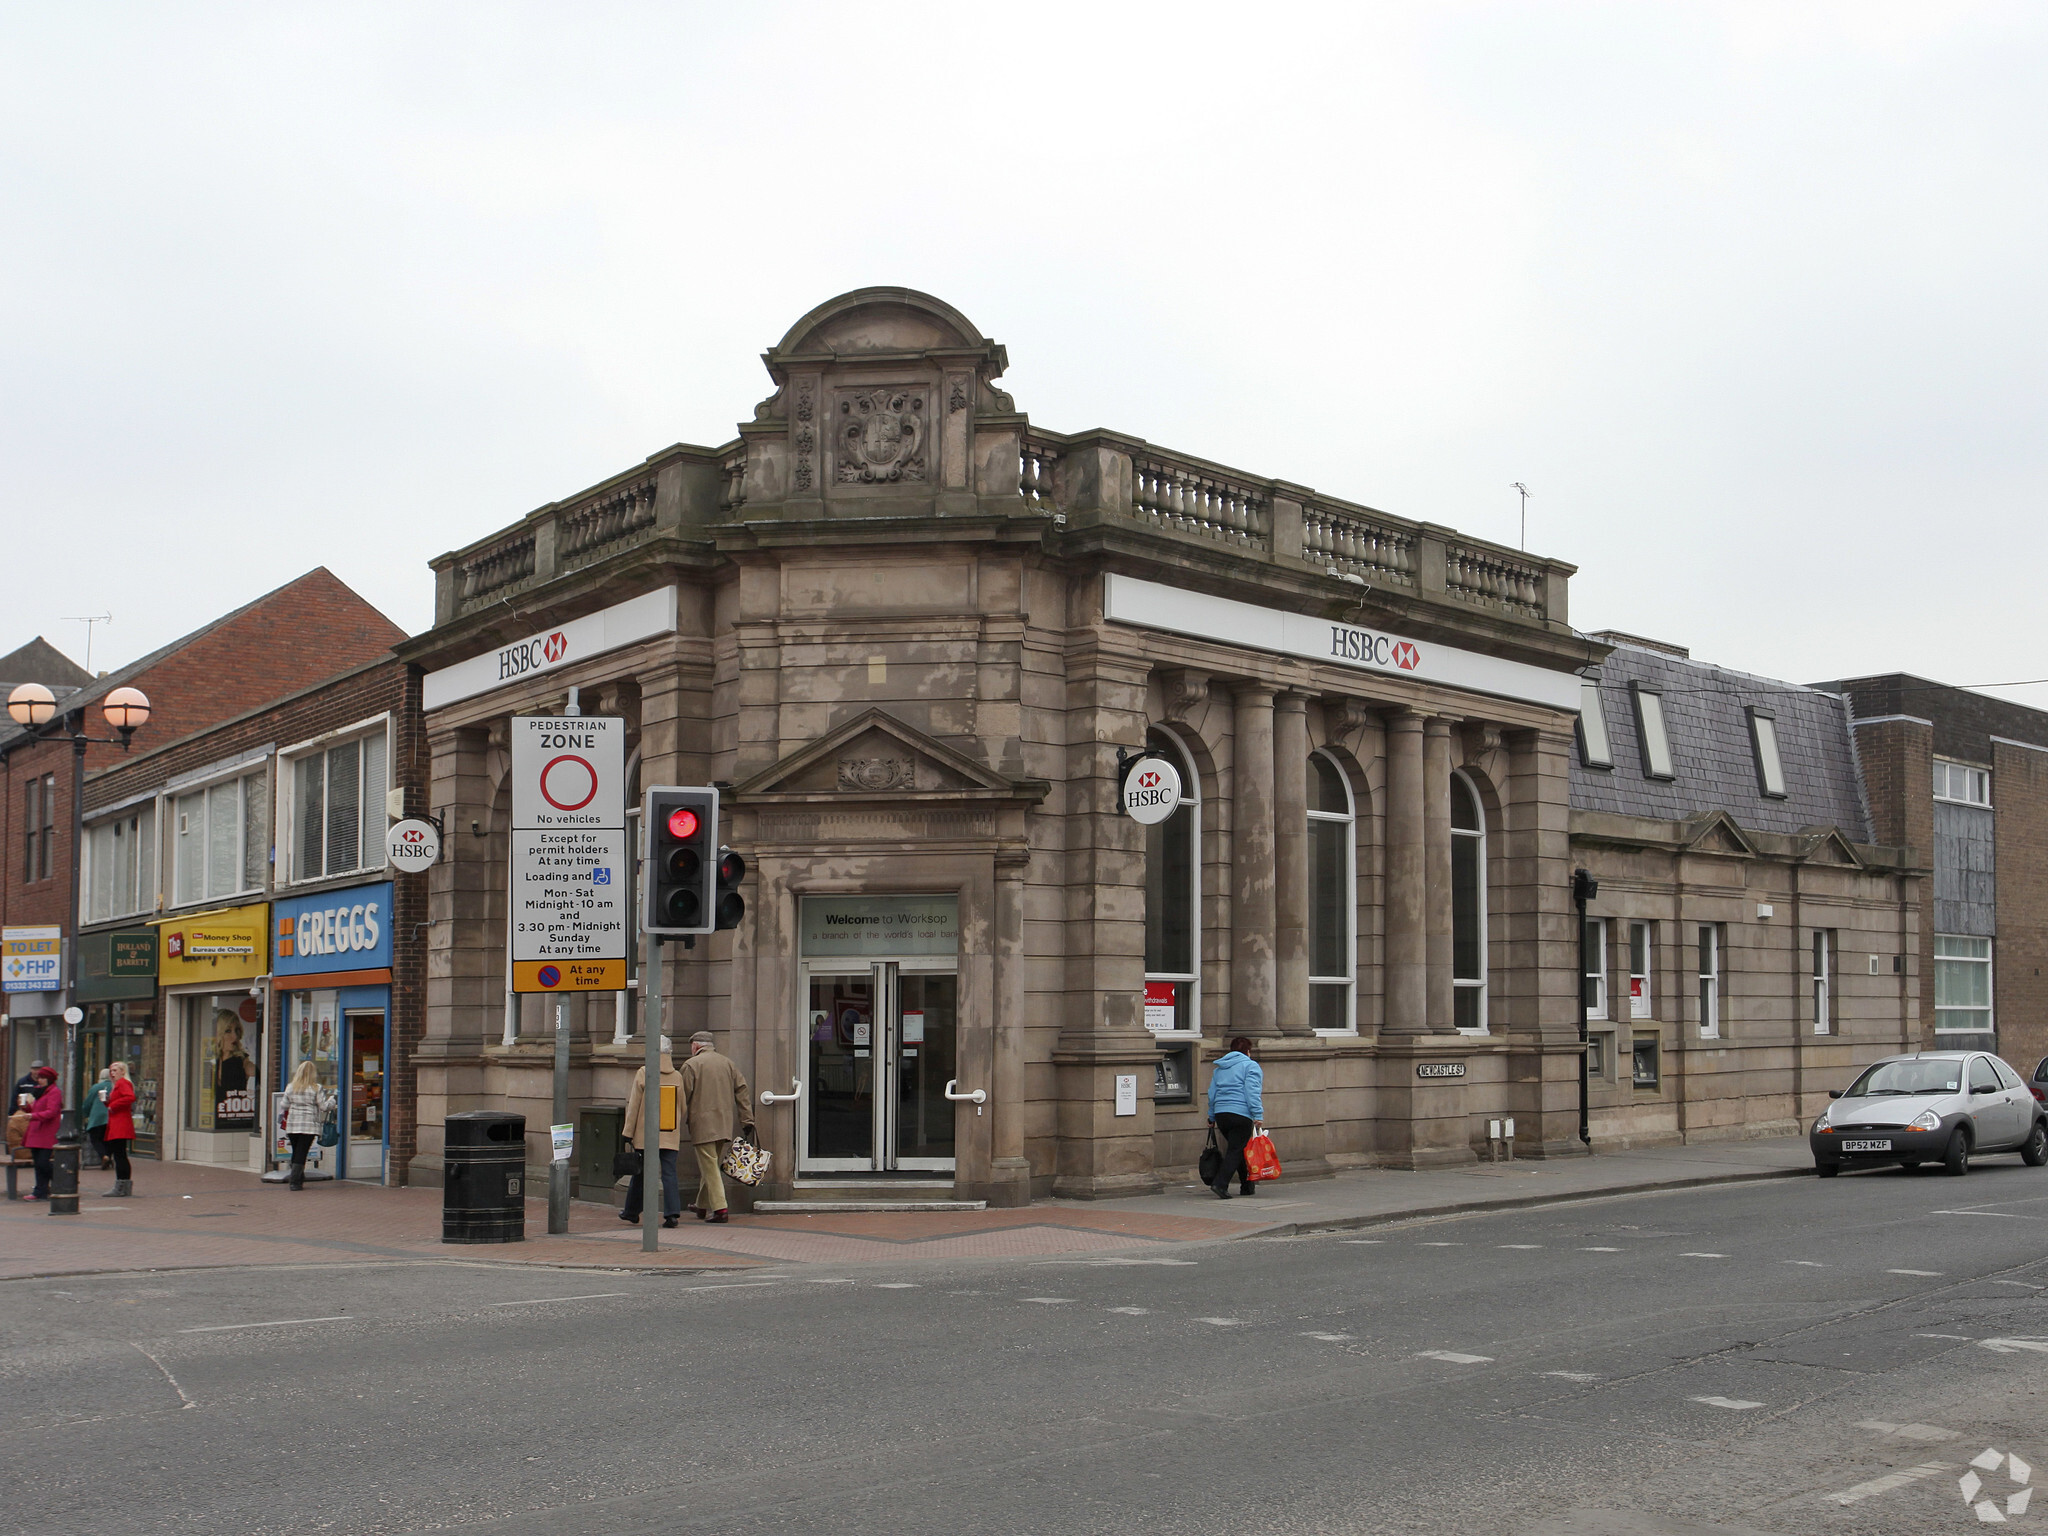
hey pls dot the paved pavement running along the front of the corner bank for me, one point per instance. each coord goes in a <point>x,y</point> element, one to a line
<point>187,1215</point>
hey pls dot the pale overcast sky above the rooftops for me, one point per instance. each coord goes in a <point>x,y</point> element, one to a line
<point>1752,298</point>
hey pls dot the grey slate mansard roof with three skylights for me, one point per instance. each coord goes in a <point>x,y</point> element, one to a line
<point>1713,755</point>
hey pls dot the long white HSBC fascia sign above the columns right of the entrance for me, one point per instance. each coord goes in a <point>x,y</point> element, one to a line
<point>1132,601</point>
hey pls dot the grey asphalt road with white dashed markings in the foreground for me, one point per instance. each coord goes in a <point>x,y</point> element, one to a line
<point>1697,1361</point>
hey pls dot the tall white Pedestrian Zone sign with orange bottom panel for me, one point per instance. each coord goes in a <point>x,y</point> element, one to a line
<point>568,855</point>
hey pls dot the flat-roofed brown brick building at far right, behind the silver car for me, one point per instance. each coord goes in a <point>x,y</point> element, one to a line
<point>1965,779</point>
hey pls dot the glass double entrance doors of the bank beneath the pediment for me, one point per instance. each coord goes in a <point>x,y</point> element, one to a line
<point>880,1046</point>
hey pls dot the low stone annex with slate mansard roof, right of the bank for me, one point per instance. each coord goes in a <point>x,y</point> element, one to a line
<point>1754,941</point>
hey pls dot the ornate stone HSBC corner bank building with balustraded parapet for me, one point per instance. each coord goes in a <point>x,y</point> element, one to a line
<point>910,634</point>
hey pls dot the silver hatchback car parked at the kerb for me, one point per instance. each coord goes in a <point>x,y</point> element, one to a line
<point>1930,1107</point>
